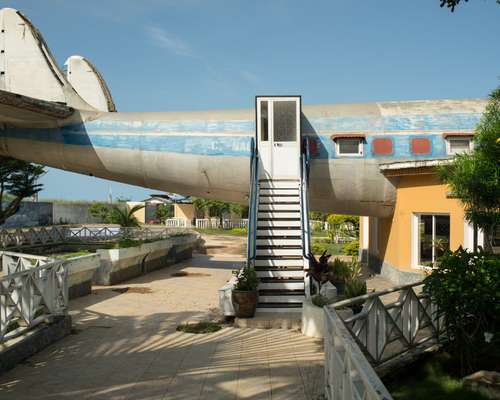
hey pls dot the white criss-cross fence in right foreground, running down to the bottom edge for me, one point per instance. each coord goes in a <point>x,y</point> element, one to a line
<point>391,323</point>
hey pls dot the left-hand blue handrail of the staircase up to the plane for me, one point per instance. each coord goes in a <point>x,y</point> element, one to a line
<point>252,210</point>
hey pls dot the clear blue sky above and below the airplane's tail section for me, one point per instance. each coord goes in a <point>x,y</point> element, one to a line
<point>170,55</point>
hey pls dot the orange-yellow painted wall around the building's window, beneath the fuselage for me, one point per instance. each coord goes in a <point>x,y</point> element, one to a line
<point>416,194</point>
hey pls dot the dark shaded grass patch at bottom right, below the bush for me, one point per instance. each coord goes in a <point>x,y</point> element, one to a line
<point>426,380</point>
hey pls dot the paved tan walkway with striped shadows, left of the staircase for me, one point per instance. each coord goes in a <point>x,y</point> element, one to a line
<point>125,346</point>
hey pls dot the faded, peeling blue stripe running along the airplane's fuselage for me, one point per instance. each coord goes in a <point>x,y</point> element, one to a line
<point>233,137</point>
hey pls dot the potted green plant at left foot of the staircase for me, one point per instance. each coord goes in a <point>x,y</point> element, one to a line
<point>244,295</point>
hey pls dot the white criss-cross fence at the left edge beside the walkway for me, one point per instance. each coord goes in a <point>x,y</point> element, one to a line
<point>34,291</point>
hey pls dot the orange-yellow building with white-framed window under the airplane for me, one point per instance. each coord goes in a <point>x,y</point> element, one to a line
<point>426,221</point>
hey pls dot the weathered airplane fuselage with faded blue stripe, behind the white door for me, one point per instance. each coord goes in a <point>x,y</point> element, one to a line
<point>207,154</point>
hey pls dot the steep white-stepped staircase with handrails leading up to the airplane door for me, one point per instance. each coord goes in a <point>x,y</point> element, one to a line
<point>279,238</point>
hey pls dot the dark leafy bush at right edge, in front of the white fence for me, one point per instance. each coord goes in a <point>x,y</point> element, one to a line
<point>466,289</point>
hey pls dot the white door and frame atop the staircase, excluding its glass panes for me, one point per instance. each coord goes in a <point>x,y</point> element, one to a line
<point>278,159</point>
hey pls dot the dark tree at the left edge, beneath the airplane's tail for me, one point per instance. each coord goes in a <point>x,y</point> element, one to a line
<point>18,180</point>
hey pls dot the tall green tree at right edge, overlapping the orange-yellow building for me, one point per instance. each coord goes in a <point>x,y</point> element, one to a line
<point>474,177</point>
